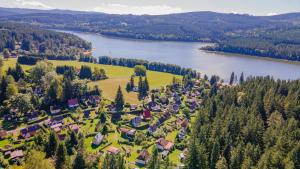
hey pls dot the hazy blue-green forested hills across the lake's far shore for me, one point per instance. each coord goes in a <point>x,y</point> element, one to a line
<point>266,36</point>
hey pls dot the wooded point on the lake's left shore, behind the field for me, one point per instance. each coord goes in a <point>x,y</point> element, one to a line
<point>28,39</point>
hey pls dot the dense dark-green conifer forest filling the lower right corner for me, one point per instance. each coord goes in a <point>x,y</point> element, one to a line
<point>252,125</point>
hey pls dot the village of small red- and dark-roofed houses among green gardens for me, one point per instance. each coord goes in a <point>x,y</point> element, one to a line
<point>163,119</point>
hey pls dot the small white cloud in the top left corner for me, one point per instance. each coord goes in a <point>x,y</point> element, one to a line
<point>25,4</point>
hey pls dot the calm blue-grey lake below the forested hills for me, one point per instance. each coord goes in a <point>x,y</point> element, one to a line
<point>187,54</point>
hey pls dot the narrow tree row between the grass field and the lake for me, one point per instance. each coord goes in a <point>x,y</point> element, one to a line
<point>154,66</point>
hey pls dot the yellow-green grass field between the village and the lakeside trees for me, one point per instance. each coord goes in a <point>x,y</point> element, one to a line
<point>117,76</point>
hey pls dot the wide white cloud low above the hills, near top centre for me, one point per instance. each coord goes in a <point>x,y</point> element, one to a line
<point>136,10</point>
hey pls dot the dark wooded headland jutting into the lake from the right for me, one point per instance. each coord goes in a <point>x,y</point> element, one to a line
<point>282,44</point>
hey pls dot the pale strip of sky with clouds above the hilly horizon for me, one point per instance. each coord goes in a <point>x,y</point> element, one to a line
<point>156,7</point>
